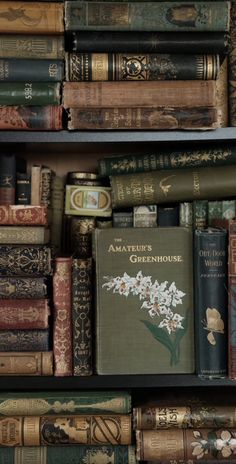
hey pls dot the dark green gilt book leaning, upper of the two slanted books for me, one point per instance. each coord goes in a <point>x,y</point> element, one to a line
<point>176,159</point>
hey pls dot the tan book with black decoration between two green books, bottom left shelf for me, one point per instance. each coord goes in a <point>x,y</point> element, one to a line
<point>104,429</point>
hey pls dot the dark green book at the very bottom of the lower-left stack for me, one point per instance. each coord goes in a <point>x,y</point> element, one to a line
<point>117,454</point>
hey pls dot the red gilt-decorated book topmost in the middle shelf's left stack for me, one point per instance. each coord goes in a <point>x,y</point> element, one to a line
<point>23,215</point>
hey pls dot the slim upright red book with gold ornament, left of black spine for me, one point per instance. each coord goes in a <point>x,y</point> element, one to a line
<point>62,328</point>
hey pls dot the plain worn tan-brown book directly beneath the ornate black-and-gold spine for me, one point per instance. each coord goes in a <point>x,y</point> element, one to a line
<point>181,94</point>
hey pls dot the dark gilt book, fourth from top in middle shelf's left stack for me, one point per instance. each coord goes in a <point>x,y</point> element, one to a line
<point>23,287</point>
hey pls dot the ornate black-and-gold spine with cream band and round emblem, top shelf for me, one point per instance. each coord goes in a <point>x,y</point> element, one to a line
<point>142,67</point>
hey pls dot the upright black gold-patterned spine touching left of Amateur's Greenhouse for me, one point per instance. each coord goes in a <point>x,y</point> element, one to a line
<point>82,315</point>
